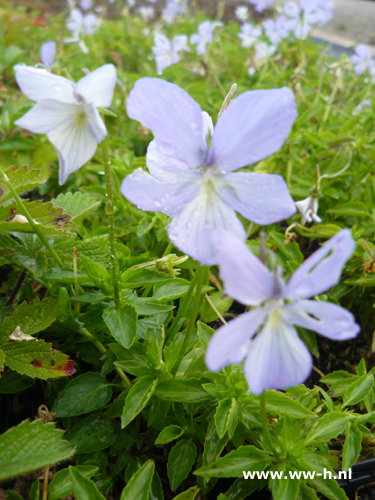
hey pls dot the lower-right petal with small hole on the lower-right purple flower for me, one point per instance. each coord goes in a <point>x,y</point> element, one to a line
<point>325,318</point>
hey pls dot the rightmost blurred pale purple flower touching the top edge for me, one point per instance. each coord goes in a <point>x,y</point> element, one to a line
<point>302,17</point>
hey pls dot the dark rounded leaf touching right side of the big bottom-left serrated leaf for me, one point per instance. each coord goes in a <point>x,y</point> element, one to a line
<point>91,434</point>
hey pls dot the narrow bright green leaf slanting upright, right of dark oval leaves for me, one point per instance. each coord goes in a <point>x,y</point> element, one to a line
<point>137,398</point>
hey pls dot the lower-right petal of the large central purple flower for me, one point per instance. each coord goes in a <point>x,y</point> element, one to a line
<point>261,198</point>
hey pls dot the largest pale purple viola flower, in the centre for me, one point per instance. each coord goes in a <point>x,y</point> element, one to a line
<point>194,184</point>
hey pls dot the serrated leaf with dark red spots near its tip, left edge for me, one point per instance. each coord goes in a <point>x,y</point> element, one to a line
<point>36,358</point>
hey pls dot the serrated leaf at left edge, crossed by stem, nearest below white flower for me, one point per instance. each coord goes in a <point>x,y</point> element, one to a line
<point>22,179</point>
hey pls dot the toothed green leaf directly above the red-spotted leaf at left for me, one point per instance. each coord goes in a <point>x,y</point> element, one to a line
<point>31,318</point>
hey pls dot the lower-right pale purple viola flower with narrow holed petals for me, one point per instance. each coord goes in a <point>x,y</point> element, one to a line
<point>265,337</point>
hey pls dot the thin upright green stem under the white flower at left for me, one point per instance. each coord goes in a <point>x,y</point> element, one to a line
<point>111,227</point>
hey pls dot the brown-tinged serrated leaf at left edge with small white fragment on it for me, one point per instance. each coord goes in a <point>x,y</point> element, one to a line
<point>51,219</point>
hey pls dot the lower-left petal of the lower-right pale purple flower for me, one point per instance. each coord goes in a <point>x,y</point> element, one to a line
<point>230,342</point>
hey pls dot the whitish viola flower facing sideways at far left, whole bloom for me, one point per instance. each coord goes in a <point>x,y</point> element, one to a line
<point>67,112</point>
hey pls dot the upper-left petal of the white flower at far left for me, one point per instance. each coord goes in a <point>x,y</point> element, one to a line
<point>38,84</point>
